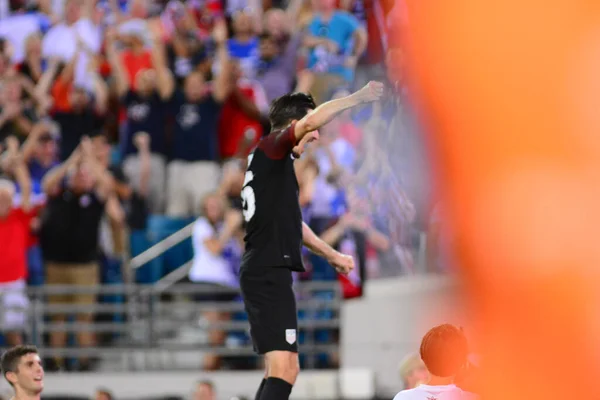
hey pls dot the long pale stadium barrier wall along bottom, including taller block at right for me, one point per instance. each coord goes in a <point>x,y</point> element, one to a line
<point>378,330</point>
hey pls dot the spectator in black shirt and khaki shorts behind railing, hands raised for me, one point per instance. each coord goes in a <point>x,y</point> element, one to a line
<point>77,191</point>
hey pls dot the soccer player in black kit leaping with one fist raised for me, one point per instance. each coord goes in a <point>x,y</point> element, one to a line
<point>275,232</point>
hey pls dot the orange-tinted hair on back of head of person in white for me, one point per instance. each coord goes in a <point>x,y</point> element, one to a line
<point>444,350</point>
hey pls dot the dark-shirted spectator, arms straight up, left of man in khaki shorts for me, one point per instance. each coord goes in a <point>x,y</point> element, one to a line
<point>146,108</point>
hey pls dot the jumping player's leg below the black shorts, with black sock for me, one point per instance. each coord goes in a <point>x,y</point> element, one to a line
<point>282,368</point>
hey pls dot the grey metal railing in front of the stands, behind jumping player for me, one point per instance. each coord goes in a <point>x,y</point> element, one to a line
<point>148,321</point>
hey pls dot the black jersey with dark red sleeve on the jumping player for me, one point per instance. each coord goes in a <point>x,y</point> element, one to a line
<point>271,209</point>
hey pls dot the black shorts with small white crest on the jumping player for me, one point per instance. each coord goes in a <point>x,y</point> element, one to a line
<point>271,306</point>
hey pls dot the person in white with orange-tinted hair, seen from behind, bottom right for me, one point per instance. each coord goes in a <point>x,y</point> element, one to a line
<point>444,351</point>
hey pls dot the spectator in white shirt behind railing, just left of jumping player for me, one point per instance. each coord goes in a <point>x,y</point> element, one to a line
<point>217,255</point>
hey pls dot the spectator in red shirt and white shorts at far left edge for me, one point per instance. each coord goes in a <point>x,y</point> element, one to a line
<point>14,236</point>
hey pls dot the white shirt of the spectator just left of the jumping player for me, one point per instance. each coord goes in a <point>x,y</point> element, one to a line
<point>206,266</point>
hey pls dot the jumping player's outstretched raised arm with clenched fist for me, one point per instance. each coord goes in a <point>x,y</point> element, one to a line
<point>323,114</point>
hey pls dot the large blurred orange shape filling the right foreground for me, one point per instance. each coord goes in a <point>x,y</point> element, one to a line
<point>510,95</point>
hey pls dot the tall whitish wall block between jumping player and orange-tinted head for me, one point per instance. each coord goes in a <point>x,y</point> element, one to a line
<point>381,328</point>
